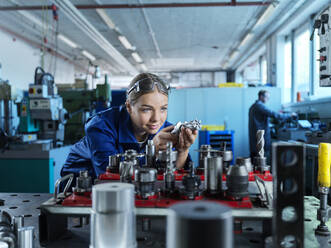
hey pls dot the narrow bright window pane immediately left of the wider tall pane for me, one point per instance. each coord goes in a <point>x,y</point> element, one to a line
<point>287,71</point>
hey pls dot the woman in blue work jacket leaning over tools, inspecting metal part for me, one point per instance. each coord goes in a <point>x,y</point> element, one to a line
<point>129,127</point>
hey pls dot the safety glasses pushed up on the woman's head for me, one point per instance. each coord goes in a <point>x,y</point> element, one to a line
<point>145,85</point>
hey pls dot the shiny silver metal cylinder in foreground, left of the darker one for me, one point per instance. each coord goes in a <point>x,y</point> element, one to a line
<point>113,221</point>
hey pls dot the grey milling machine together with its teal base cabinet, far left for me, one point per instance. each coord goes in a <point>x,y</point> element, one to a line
<point>31,136</point>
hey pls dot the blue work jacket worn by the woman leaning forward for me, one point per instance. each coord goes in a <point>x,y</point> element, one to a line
<point>106,133</point>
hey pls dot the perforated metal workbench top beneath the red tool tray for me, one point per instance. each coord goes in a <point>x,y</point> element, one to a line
<point>28,205</point>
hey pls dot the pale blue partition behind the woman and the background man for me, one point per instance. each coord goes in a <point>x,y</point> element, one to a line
<point>216,106</point>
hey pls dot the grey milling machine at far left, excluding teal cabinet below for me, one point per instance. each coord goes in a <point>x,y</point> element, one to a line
<point>39,116</point>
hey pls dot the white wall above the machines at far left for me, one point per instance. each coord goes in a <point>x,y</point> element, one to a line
<point>19,61</point>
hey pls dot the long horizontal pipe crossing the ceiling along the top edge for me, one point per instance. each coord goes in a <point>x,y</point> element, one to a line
<point>139,6</point>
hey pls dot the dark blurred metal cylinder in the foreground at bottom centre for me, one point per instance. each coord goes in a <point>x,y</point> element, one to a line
<point>199,224</point>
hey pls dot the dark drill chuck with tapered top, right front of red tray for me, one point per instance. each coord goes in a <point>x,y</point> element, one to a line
<point>237,181</point>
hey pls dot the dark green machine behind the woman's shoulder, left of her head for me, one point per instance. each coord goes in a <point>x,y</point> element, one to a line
<point>82,103</point>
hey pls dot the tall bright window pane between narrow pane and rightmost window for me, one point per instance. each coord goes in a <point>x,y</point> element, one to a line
<point>302,62</point>
